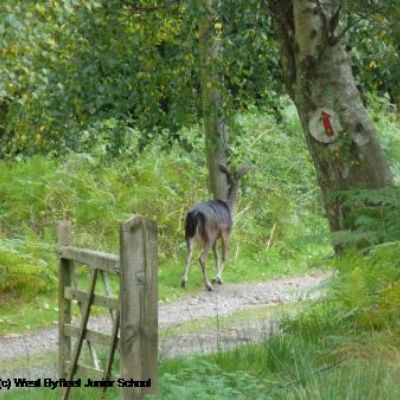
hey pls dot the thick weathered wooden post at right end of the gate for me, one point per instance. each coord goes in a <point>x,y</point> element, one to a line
<point>139,309</point>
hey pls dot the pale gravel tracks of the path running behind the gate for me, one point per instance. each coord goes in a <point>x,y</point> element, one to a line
<point>224,300</point>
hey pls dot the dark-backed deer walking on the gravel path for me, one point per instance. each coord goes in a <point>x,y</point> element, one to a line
<point>209,221</point>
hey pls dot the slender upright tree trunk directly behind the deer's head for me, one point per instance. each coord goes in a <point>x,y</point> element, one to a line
<point>211,83</point>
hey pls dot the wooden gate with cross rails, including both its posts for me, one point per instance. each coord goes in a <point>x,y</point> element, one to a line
<point>132,312</point>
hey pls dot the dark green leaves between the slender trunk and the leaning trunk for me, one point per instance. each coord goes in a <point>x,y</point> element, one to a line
<point>251,59</point>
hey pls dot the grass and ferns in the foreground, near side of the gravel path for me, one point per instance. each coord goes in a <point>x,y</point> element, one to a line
<point>344,346</point>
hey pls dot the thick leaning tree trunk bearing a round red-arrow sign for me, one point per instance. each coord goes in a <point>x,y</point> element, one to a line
<point>319,78</point>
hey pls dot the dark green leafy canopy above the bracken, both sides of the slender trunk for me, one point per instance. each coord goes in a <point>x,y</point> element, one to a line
<point>70,69</point>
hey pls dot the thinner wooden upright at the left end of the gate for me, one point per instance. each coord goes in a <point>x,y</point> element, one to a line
<point>64,238</point>
